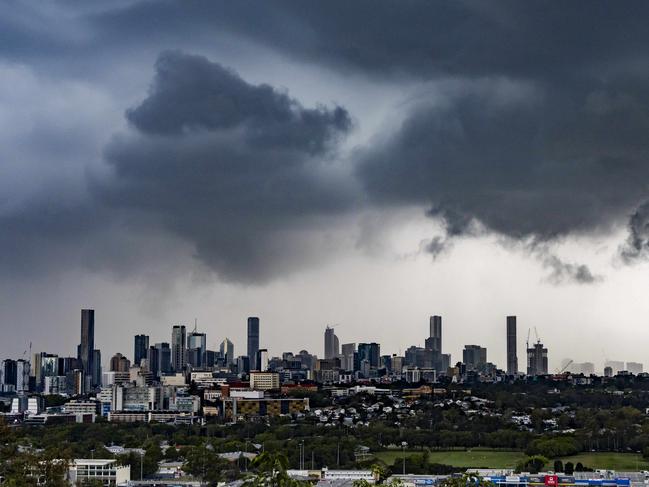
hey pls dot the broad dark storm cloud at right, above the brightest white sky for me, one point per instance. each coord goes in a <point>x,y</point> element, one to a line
<point>522,160</point>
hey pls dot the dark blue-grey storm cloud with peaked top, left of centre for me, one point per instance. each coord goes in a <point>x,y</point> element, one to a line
<point>243,172</point>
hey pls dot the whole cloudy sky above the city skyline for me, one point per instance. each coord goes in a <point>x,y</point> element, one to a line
<point>365,164</point>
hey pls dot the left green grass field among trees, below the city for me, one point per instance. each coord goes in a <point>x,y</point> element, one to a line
<point>470,458</point>
